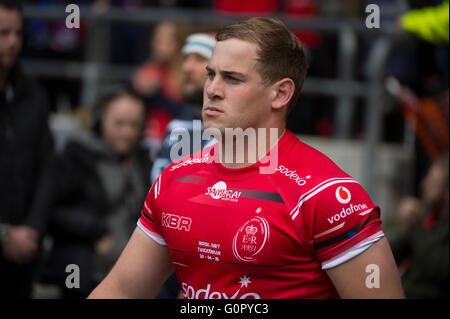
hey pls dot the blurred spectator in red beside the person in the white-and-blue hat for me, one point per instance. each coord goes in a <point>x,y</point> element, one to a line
<point>159,81</point>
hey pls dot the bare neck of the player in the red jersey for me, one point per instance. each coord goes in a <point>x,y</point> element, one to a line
<point>242,150</point>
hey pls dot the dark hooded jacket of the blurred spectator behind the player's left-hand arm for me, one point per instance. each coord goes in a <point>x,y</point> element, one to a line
<point>95,196</point>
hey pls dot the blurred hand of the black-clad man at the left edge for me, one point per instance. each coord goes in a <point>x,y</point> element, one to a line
<point>22,244</point>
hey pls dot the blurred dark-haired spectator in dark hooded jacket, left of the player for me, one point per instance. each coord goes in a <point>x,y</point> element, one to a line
<point>103,179</point>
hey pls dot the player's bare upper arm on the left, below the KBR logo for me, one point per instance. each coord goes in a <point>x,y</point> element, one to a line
<point>140,271</point>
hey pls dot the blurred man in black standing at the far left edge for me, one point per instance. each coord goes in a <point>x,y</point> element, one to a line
<point>26,153</point>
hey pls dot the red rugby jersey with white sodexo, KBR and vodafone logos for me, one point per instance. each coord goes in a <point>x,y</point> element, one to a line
<point>237,233</point>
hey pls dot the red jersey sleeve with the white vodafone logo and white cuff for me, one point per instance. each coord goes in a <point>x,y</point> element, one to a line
<point>338,220</point>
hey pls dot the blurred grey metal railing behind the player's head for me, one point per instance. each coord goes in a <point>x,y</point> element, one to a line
<point>345,87</point>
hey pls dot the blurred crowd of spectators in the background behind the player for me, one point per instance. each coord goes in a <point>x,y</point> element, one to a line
<point>79,202</point>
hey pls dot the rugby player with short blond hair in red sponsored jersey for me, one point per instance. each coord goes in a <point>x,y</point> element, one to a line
<point>303,229</point>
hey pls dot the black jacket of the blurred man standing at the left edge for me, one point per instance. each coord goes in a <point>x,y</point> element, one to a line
<point>26,154</point>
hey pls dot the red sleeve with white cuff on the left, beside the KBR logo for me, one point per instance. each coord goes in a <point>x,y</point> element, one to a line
<point>148,221</point>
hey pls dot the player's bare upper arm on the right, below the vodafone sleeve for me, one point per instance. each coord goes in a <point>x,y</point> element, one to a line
<point>372,274</point>
